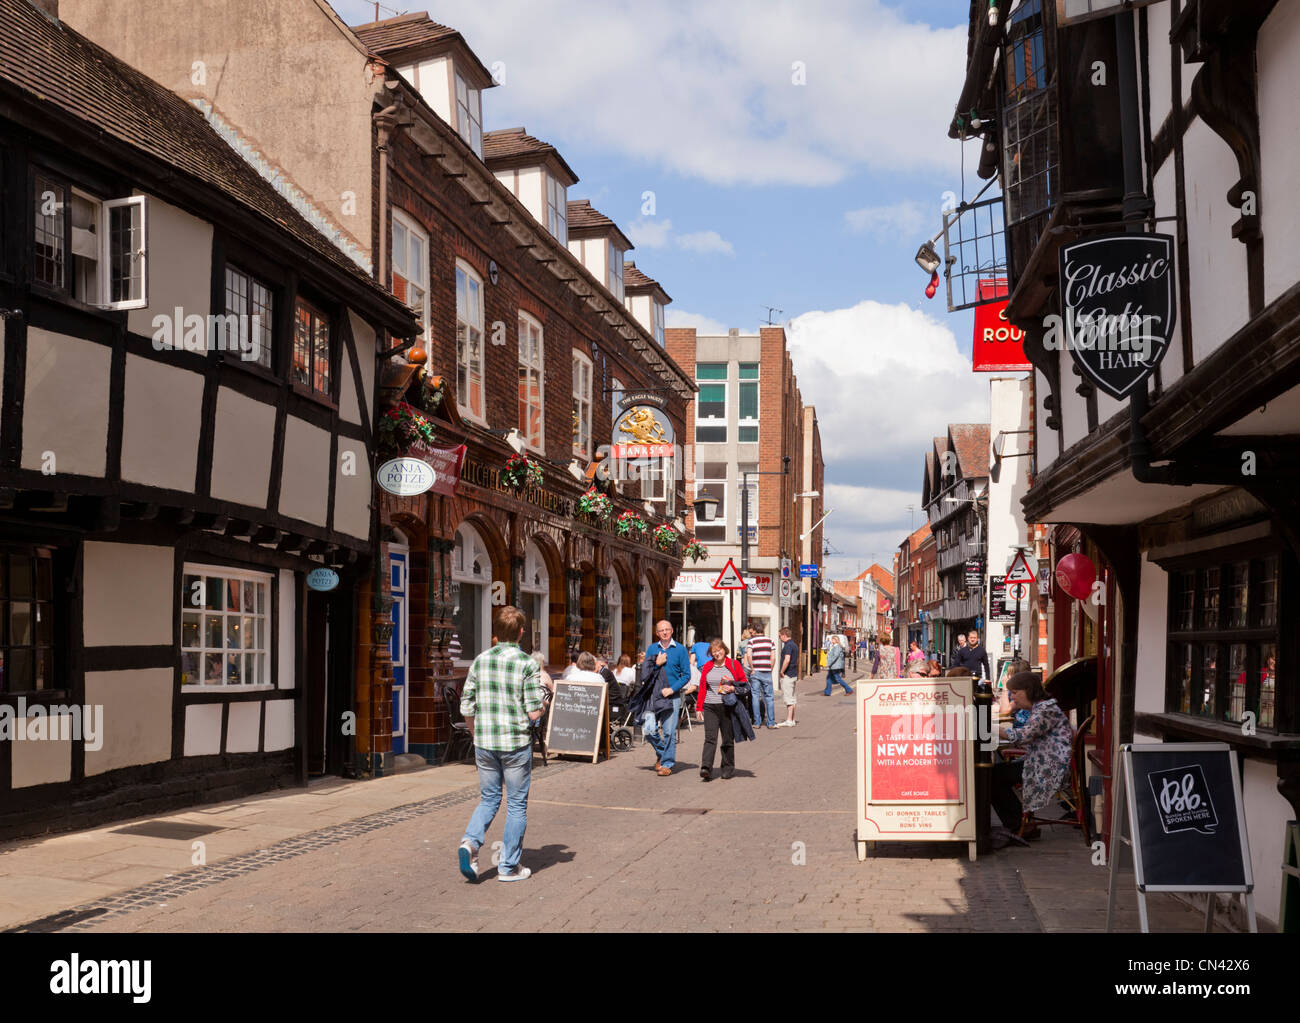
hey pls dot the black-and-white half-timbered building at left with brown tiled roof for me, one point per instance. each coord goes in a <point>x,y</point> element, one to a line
<point>185,434</point>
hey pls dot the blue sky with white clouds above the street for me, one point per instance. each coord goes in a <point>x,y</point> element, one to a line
<point>798,155</point>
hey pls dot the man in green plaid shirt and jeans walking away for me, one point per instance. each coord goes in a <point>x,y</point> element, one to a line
<point>502,697</point>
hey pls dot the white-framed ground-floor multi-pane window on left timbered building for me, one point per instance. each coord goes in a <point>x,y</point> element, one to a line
<point>227,628</point>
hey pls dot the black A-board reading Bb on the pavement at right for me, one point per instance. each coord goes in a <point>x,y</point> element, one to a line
<point>1186,814</point>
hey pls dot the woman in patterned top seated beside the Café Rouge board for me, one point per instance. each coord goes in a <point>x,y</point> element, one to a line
<point>1047,744</point>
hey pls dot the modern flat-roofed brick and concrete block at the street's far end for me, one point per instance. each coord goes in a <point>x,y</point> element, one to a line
<point>742,378</point>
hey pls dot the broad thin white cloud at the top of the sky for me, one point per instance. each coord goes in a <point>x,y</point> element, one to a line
<point>709,90</point>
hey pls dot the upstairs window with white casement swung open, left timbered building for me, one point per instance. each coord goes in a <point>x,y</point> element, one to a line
<point>90,249</point>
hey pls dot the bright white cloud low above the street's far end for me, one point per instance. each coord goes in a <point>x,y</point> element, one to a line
<point>886,382</point>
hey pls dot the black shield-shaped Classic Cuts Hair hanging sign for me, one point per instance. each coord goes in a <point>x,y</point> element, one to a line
<point>1117,309</point>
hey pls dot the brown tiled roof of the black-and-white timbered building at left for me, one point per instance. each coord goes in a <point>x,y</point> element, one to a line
<point>58,67</point>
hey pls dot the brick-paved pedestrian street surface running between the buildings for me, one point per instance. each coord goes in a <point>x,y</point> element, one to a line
<point>613,847</point>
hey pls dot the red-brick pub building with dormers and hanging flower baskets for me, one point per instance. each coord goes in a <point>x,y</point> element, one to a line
<point>528,335</point>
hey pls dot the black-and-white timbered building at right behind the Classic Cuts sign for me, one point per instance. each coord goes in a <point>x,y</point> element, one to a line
<point>1175,119</point>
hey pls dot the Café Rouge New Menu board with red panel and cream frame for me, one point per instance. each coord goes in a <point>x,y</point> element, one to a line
<point>916,761</point>
